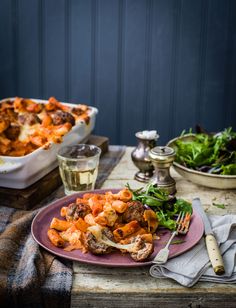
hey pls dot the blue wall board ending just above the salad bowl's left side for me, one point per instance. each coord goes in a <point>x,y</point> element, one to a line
<point>187,65</point>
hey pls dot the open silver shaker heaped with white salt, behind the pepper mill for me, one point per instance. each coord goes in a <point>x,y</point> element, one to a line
<point>146,141</point>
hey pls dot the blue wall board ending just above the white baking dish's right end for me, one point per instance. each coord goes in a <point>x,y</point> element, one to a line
<point>80,80</point>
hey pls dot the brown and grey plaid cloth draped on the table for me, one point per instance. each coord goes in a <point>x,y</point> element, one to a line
<point>29,275</point>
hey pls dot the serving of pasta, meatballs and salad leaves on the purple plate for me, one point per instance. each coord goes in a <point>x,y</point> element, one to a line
<point>103,223</point>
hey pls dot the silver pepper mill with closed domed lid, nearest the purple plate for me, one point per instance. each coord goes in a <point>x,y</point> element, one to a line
<point>162,158</point>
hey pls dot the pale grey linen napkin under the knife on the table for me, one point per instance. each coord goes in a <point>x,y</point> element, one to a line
<point>194,265</point>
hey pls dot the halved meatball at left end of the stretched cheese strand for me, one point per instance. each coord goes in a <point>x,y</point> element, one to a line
<point>96,247</point>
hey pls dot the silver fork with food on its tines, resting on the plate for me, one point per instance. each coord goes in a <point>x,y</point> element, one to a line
<point>182,227</point>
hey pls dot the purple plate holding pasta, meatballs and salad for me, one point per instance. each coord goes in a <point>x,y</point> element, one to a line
<point>42,220</point>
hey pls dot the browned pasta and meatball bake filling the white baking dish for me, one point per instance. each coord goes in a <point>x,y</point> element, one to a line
<point>26,125</point>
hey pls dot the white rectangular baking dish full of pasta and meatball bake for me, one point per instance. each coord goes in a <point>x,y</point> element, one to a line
<point>31,133</point>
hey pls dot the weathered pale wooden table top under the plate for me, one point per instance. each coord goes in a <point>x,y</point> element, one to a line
<point>95,286</point>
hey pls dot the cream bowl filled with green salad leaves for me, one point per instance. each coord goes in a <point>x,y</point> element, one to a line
<point>207,159</point>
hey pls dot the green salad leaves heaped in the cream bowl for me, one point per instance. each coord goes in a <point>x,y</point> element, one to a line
<point>209,153</point>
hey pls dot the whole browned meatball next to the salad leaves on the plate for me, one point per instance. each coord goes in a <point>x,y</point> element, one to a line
<point>134,211</point>
